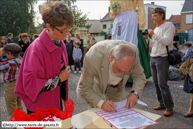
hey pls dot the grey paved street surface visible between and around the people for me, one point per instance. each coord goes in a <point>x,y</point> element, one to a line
<point>177,120</point>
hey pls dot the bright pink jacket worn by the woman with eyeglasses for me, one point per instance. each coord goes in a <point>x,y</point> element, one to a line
<point>42,61</point>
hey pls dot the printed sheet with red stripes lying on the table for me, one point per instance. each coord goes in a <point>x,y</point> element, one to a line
<point>126,118</point>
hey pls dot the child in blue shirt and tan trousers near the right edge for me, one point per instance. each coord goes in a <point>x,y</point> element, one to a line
<point>187,58</point>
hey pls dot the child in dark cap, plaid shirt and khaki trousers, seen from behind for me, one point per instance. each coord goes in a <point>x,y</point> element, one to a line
<point>10,69</point>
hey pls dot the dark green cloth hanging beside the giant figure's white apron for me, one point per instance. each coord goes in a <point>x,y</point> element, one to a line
<point>143,56</point>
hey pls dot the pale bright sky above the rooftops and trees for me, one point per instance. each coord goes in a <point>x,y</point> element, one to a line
<point>97,9</point>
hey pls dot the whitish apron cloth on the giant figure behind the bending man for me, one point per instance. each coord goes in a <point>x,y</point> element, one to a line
<point>125,27</point>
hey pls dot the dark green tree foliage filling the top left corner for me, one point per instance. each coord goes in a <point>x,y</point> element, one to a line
<point>16,16</point>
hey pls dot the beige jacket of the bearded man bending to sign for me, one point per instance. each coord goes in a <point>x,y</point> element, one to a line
<point>93,81</point>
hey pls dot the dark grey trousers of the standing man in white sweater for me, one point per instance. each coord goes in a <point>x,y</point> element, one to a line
<point>159,69</point>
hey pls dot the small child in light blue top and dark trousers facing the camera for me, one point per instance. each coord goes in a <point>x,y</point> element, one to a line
<point>77,55</point>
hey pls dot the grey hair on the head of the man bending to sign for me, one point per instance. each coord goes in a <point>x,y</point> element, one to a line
<point>122,51</point>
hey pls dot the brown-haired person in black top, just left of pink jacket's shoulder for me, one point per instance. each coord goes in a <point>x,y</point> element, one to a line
<point>24,43</point>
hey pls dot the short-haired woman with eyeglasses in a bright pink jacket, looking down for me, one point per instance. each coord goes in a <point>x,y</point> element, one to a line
<point>43,78</point>
